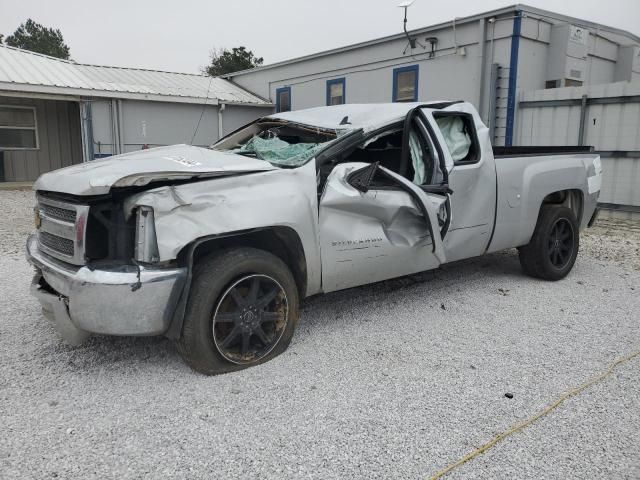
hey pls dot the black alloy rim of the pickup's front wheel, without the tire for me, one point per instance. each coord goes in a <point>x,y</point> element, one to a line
<point>250,318</point>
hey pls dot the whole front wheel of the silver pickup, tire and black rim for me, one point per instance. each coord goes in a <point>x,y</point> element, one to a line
<point>220,315</point>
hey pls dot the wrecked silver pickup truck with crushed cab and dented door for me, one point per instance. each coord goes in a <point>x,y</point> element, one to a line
<point>215,247</point>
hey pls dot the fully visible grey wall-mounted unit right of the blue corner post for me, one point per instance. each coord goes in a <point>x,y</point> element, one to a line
<point>568,50</point>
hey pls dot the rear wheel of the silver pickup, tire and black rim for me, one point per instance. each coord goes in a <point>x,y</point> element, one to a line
<point>553,249</point>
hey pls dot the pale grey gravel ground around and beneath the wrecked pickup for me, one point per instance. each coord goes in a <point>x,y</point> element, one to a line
<point>392,380</point>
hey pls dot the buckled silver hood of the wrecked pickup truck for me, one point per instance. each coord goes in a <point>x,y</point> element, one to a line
<point>177,162</point>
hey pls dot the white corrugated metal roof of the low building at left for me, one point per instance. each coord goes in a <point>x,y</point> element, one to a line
<point>34,73</point>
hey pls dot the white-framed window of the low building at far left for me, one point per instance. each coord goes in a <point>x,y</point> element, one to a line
<point>18,128</point>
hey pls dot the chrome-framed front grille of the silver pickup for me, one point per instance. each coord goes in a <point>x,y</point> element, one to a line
<point>61,229</point>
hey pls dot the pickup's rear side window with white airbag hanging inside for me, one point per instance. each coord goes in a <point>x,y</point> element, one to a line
<point>458,130</point>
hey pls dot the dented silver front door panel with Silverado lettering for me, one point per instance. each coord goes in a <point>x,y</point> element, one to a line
<point>372,236</point>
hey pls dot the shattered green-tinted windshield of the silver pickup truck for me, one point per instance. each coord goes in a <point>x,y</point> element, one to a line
<point>277,142</point>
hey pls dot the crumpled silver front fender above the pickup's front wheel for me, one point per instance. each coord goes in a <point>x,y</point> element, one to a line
<point>284,197</point>
